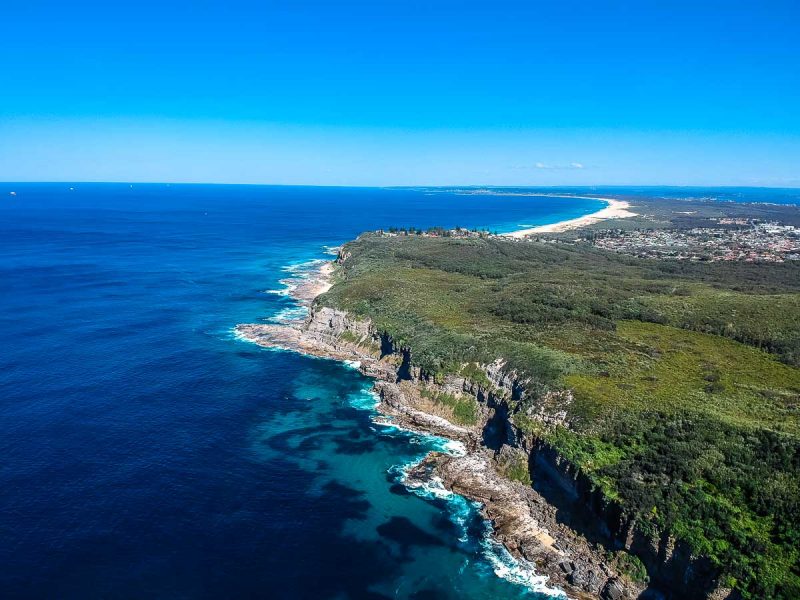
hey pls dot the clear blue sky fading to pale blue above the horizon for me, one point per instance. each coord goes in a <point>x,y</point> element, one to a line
<point>401,92</point>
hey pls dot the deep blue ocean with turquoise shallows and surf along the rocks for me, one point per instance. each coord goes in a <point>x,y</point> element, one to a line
<point>146,452</point>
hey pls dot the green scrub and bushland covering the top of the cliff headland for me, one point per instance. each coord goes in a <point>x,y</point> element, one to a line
<point>685,375</point>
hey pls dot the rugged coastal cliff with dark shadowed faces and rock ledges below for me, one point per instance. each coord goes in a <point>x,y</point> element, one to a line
<point>542,508</point>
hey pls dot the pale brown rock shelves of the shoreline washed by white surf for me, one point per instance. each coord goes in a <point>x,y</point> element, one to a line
<point>522,519</point>
